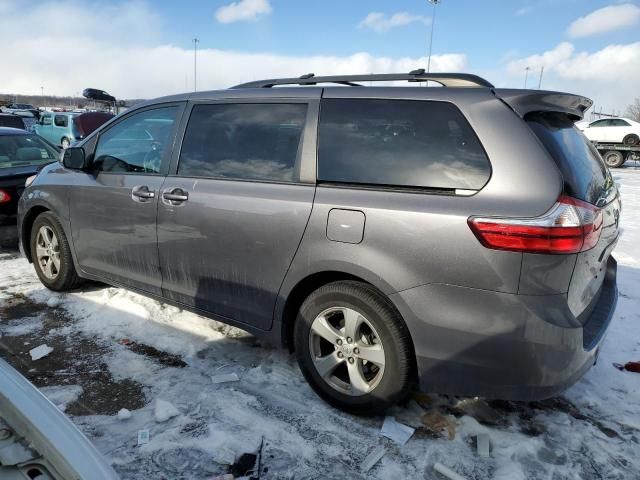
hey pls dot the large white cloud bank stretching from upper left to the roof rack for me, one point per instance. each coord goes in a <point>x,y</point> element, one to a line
<point>126,58</point>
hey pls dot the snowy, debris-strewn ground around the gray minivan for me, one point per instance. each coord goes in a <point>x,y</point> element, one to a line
<point>114,349</point>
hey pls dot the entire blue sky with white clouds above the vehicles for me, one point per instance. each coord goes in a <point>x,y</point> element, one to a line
<point>143,49</point>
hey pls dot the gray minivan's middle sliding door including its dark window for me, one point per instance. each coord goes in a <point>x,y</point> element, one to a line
<point>232,216</point>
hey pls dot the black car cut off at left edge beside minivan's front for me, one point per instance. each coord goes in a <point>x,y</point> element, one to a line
<point>22,154</point>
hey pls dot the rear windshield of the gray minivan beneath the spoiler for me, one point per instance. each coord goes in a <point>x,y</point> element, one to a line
<point>585,175</point>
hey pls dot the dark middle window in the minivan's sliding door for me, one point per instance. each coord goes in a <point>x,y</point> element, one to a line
<point>243,141</point>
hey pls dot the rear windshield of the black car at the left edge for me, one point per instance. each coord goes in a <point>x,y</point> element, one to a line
<point>19,150</point>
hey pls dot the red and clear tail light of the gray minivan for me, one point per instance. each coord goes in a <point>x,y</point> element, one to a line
<point>571,226</point>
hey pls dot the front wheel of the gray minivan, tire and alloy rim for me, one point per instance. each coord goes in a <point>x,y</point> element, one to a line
<point>51,254</point>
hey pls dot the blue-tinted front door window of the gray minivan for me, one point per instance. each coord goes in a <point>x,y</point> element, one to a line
<point>138,143</point>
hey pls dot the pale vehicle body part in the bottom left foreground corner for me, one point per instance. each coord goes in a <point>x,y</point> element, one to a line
<point>36,437</point>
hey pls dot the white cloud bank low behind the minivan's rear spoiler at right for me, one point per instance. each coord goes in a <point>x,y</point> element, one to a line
<point>609,76</point>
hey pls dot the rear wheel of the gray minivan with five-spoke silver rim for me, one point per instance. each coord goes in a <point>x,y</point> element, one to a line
<point>354,348</point>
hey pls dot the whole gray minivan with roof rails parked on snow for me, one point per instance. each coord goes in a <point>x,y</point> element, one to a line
<point>457,239</point>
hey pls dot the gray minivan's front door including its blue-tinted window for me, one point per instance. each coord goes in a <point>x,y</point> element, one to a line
<point>114,206</point>
